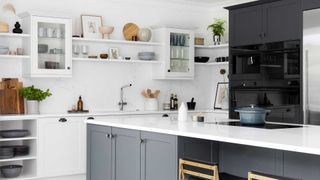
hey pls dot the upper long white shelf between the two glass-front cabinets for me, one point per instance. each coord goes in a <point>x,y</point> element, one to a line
<point>111,41</point>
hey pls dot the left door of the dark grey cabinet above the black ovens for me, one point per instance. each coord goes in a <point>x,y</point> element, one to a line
<point>246,26</point>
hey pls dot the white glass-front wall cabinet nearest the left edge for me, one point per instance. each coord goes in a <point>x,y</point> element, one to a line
<point>50,45</point>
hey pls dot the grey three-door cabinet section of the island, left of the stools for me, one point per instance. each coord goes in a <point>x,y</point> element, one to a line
<point>123,154</point>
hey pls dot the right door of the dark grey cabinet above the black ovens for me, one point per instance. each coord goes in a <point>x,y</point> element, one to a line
<point>282,20</point>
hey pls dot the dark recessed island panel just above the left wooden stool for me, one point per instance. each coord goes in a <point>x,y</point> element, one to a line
<point>198,149</point>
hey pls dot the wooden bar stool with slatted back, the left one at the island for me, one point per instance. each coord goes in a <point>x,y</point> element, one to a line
<point>182,170</point>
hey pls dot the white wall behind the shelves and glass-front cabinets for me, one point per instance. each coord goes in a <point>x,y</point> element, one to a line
<point>99,83</point>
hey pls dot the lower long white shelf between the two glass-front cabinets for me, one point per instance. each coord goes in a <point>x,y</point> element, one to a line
<point>116,61</point>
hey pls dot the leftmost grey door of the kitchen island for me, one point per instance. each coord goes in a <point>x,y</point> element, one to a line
<point>99,161</point>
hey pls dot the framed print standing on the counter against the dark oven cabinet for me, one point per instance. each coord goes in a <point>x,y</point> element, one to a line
<point>222,96</point>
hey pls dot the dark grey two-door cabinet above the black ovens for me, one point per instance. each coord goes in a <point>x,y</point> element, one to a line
<point>269,22</point>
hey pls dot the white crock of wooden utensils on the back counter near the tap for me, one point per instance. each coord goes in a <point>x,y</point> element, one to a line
<point>151,99</point>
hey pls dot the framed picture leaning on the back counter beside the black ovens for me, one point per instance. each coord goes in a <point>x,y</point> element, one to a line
<point>222,92</point>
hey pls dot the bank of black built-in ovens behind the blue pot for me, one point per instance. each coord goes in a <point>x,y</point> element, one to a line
<point>267,75</point>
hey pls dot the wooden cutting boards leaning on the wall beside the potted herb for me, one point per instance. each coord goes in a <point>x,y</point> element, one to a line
<point>11,101</point>
